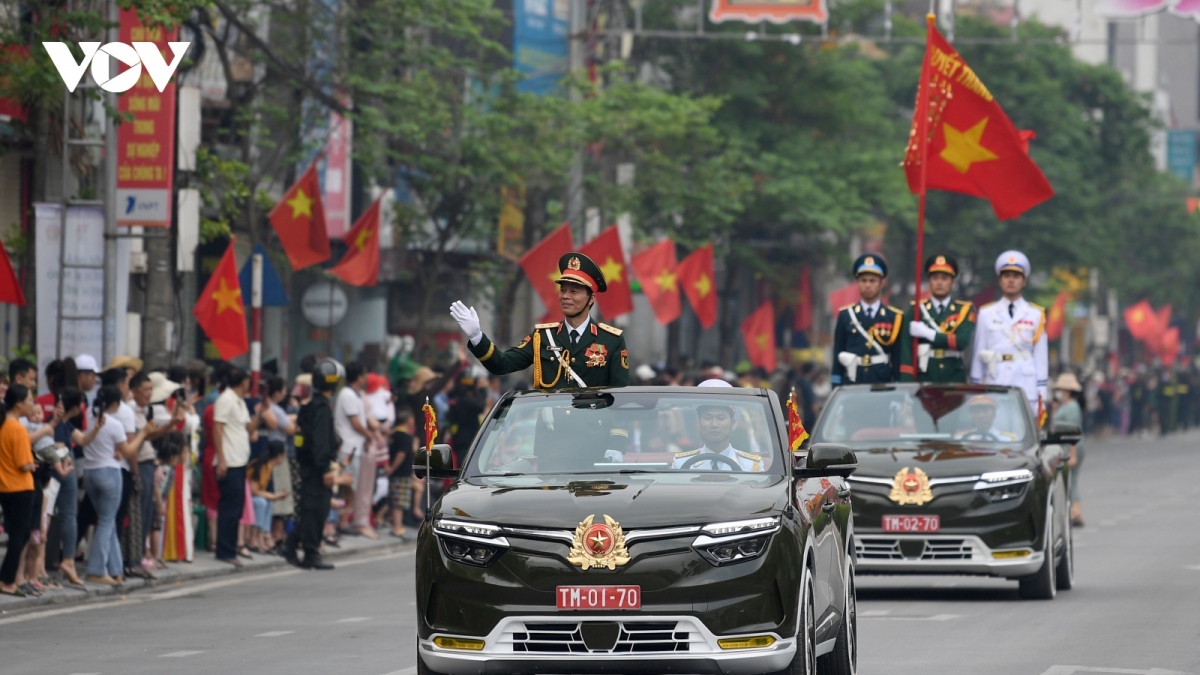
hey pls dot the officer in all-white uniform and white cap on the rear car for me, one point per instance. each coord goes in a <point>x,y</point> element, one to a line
<point>1011,338</point>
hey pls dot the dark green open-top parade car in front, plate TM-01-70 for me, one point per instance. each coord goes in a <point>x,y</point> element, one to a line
<point>638,530</point>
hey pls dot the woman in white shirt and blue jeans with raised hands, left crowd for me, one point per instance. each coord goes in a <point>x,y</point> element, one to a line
<point>103,482</point>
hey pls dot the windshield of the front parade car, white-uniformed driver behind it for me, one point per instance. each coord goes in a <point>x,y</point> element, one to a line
<point>625,432</point>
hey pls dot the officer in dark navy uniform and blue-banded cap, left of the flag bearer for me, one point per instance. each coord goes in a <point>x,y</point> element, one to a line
<point>867,339</point>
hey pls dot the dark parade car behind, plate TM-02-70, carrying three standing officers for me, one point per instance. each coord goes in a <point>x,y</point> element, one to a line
<point>956,480</point>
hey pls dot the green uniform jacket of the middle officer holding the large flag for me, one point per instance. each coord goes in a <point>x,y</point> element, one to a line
<point>956,326</point>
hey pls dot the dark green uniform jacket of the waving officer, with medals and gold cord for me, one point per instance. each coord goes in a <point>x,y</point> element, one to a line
<point>599,357</point>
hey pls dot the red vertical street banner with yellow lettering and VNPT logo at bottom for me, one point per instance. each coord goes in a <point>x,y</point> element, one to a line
<point>146,151</point>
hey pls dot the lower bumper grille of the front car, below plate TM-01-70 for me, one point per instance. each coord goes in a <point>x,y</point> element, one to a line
<point>567,637</point>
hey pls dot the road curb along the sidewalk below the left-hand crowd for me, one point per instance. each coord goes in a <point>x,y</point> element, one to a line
<point>71,595</point>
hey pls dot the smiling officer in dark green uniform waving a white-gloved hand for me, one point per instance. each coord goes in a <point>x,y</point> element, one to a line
<point>572,354</point>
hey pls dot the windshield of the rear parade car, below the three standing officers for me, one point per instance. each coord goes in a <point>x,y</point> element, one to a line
<point>926,414</point>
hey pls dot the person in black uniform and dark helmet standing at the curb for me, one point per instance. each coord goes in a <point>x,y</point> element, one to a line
<point>317,458</point>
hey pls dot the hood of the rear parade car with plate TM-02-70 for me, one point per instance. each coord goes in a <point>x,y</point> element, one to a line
<point>940,459</point>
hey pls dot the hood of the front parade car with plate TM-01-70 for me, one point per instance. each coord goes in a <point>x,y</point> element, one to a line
<point>634,501</point>
